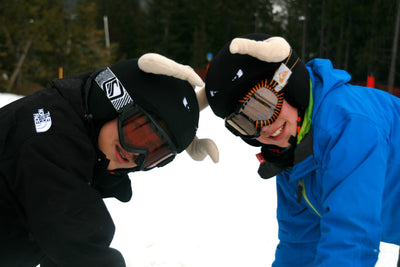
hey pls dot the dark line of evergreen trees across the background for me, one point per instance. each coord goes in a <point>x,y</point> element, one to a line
<point>38,37</point>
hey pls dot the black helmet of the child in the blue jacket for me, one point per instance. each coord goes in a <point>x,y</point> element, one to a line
<point>232,76</point>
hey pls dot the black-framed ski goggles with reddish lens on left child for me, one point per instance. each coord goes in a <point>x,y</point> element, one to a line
<point>141,134</point>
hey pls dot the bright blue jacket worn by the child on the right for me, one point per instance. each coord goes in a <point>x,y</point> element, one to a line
<point>351,182</point>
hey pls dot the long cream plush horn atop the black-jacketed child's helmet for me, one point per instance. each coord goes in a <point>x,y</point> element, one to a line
<point>158,64</point>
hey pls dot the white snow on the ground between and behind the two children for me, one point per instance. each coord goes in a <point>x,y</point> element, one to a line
<point>196,214</point>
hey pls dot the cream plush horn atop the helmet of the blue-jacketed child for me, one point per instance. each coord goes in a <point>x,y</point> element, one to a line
<point>274,49</point>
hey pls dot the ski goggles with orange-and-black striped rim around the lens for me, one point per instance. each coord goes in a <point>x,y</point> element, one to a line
<point>259,108</point>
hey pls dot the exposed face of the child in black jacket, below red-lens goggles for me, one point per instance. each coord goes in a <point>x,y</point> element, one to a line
<point>109,144</point>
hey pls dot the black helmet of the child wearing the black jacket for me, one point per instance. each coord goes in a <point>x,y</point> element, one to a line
<point>172,100</point>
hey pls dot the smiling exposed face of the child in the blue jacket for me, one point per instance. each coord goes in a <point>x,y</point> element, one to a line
<point>279,132</point>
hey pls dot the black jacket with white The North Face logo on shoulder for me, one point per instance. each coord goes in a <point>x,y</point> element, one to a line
<point>52,181</point>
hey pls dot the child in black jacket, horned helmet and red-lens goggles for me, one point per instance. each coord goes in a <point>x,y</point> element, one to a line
<point>65,148</point>
